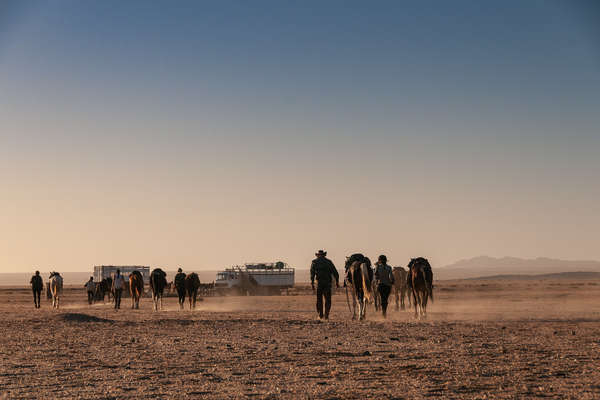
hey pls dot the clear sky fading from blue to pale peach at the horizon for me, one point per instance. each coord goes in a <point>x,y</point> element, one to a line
<point>205,134</point>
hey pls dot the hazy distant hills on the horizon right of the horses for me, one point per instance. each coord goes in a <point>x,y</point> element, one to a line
<point>490,266</point>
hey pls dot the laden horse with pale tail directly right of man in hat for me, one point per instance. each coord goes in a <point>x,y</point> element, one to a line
<point>359,275</point>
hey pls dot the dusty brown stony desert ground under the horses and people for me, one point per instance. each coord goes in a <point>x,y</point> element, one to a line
<point>481,340</point>
